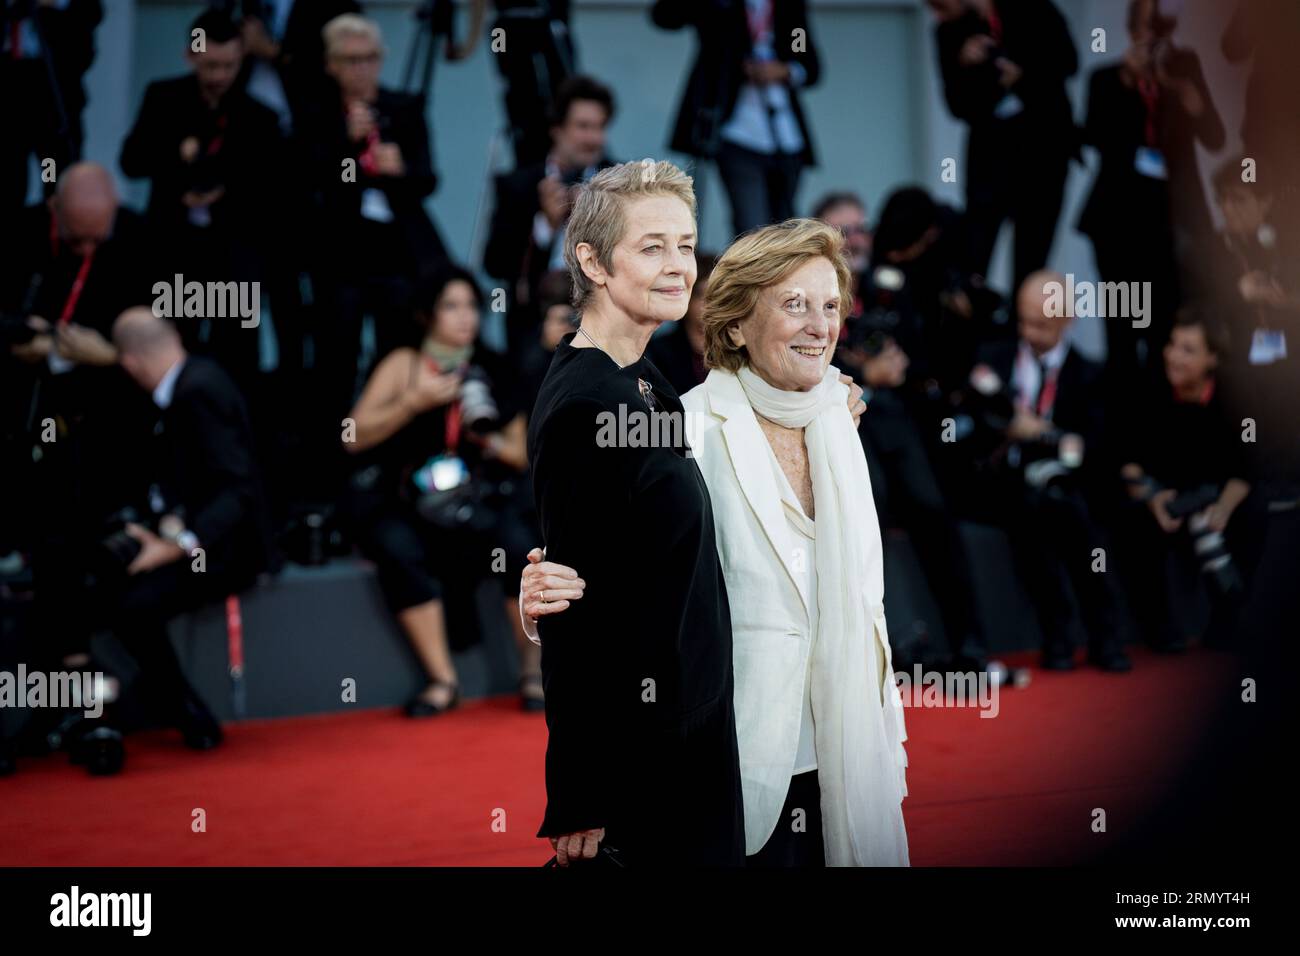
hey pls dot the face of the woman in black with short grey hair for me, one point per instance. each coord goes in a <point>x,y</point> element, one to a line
<point>655,263</point>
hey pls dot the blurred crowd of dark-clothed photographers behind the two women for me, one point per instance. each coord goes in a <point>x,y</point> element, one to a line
<point>341,396</point>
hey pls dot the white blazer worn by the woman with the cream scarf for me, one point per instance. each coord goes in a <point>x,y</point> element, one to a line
<point>768,589</point>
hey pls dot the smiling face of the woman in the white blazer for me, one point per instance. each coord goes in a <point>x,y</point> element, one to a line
<point>795,326</point>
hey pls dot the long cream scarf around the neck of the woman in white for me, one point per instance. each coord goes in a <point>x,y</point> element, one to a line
<point>859,769</point>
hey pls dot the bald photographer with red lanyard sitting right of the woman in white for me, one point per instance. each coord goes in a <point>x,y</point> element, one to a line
<point>1041,471</point>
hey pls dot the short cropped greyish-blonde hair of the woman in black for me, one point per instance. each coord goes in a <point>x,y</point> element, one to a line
<point>600,219</point>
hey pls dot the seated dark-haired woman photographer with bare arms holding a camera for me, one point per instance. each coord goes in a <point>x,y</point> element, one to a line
<point>439,491</point>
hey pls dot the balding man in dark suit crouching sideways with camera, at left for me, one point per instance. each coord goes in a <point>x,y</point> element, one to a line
<point>198,535</point>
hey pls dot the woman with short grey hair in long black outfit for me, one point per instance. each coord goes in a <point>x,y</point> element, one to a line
<point>643,750</point>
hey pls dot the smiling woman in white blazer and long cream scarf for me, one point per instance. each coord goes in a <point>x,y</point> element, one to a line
<point>818,716</point>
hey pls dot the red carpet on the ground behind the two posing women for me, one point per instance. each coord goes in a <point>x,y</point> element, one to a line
<point>378,789</point>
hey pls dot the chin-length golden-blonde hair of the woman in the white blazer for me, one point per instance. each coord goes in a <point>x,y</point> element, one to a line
<point>760,259</point>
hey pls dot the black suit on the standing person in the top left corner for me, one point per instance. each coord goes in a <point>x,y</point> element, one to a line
<point>32,111</point>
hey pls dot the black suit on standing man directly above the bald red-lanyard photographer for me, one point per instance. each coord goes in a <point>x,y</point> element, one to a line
<point>1016,167</point>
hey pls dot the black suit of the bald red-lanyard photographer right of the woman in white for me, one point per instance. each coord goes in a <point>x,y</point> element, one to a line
<point>1054,529</point>
